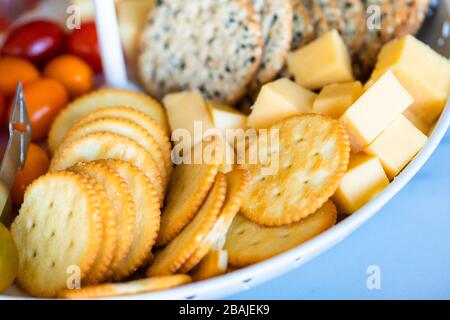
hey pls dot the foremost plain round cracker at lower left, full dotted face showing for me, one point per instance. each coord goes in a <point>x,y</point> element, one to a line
<point>58,229</point>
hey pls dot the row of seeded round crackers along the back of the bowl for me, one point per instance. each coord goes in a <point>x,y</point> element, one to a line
<point>227,49</point>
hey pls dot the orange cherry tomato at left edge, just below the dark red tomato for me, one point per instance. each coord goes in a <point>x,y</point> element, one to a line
<point>13,70</point>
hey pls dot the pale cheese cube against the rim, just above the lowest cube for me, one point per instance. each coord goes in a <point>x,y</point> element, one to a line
<point>397,145</point>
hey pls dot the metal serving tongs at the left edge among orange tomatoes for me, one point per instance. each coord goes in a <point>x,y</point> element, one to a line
<point>16,151</point>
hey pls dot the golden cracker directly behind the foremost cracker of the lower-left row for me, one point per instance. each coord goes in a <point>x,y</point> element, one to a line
<point>99,269</point>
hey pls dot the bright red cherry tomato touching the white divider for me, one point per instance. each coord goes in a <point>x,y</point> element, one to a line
<point>83,43</point>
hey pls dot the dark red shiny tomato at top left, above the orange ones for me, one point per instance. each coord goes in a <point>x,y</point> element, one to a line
<point>37,41</point>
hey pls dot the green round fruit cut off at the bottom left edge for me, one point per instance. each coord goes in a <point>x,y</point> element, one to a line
<point>9,259</point>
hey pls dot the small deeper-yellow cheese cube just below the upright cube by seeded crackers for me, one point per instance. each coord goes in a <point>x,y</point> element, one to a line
<point>335,99</point>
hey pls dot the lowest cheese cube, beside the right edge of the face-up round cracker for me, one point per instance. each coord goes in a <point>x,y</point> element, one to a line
<point>364,179</point>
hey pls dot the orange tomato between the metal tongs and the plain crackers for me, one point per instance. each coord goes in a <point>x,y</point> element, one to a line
<point>36,164</point>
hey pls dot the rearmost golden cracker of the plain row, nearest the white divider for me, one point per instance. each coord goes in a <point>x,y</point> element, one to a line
<point>100,99</point>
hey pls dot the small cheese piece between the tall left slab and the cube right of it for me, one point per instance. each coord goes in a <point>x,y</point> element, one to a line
<point>226,117</point>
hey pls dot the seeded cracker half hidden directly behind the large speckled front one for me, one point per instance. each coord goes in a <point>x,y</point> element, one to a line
<point>276,22</point>
